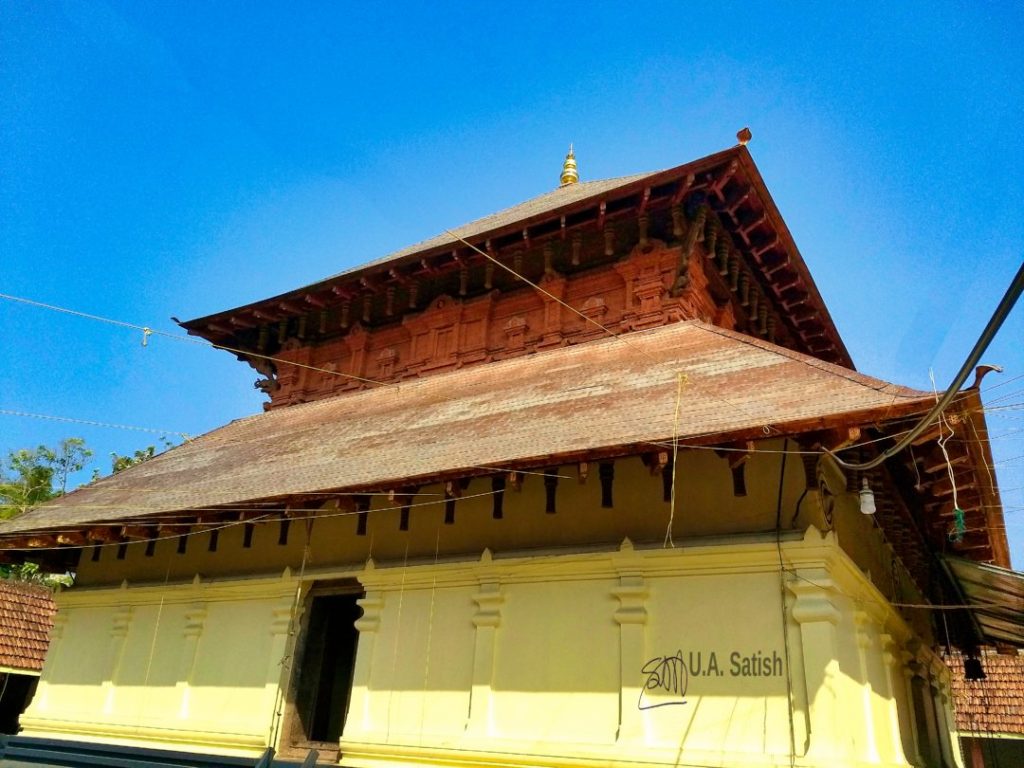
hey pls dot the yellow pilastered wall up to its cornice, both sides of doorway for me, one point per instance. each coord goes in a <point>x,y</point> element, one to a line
<point>525,659</point>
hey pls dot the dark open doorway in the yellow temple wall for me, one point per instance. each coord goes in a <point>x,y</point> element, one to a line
<point>327,666</point>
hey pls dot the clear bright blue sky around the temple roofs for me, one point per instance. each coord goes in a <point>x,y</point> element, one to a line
<point>178,159</point>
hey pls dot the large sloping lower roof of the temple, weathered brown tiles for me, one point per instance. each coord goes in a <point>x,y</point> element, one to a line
<point>607,395</point>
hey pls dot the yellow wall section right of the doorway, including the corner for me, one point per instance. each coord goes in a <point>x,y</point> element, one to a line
<point>558,669</point>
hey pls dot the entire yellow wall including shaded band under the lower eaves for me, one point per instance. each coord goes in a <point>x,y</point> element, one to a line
<point>534,653</point>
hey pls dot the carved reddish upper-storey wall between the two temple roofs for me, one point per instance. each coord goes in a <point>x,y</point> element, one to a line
<point>631,294</point>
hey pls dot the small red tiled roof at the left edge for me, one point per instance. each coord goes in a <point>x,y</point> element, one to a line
<point>26,620</point>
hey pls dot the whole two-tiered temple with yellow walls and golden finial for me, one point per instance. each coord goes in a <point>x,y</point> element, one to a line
<point>568,486</point>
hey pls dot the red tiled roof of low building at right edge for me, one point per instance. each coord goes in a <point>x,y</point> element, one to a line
<point>995,705</point>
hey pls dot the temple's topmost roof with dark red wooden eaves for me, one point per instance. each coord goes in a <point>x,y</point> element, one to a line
<point>729,182</point>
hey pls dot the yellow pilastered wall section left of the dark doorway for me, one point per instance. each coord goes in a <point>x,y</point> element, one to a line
<point>195,664</point>
